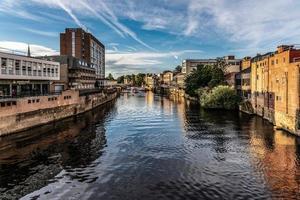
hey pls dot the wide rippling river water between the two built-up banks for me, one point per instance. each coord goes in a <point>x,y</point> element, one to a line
<point>151,148</point>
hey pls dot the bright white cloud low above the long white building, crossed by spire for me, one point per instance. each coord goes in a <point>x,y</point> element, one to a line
<point>21,48</point>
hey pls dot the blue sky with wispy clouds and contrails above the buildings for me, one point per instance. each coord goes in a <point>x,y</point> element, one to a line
<point>152,36</point>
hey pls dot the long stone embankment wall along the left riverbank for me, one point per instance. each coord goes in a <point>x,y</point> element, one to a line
<point>21,114</point>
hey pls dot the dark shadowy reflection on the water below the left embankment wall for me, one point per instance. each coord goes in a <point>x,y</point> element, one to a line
<point>31,159</point>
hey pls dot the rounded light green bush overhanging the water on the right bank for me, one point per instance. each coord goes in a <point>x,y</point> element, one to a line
<point>220,97</point>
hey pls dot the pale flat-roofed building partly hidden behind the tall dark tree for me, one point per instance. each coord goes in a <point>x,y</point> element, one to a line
<point>190,65</point>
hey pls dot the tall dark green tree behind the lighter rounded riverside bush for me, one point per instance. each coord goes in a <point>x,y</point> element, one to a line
<point>205,76</point>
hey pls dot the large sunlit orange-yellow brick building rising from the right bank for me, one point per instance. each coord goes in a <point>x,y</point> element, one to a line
<point>275,87</point>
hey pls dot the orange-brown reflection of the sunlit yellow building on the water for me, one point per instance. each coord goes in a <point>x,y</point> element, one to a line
<point>276,154</point>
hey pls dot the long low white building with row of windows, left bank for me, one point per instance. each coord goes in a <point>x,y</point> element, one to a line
<point>23,75</point>
